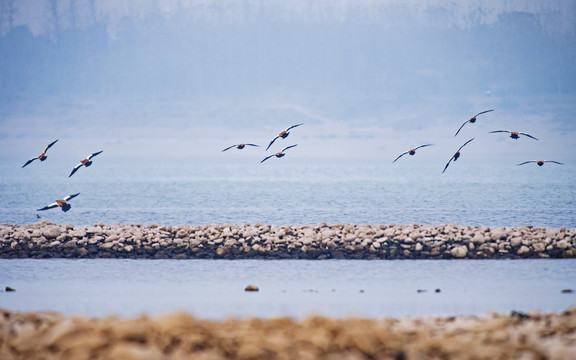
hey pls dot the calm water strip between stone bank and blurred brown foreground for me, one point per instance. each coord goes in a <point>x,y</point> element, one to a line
<point>215,288</point>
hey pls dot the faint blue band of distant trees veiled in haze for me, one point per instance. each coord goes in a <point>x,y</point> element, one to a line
<point>174,57</point>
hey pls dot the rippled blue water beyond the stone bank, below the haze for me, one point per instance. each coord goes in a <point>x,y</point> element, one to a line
<point>292,191</point>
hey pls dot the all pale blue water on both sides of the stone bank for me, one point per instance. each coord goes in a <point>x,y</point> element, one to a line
<point>290,191</point>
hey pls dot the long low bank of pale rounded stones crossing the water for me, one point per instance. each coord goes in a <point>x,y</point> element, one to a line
<point>257,241</point>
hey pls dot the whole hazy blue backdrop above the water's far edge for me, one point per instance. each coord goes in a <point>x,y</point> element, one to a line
<point>370,79</point>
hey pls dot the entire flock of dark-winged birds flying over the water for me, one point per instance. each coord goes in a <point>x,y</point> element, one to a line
<point>65,206</point>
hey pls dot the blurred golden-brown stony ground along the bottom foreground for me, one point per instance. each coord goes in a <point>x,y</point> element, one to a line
<point>43,335</point>
